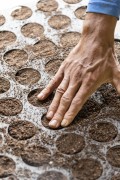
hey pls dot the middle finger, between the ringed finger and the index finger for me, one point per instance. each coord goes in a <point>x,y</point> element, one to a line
<point>64,104</point>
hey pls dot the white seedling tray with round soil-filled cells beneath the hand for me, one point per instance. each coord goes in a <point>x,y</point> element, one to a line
<point>32,50</point>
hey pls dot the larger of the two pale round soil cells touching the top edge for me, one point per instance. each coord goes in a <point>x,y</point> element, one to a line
<point>47,6</point>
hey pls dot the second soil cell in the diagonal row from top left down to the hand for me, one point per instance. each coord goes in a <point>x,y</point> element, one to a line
<point>32,30</point>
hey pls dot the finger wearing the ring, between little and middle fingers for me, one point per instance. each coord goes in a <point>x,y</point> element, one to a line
<point>56,101</point>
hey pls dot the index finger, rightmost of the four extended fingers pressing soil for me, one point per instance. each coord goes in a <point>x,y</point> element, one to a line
<point>77,103</point>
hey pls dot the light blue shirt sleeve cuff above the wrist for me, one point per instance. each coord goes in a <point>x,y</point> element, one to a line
<point>109,7</point>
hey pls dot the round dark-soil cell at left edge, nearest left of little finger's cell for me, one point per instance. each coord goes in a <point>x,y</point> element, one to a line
<point>10,106</point>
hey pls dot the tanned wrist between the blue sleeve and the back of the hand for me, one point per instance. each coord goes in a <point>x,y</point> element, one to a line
<point>99,28</point>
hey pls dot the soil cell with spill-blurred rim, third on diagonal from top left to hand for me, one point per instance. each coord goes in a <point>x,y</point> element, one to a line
<point>44,48</point>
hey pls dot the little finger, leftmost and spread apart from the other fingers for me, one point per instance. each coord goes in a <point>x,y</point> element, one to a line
<point>53,84</point>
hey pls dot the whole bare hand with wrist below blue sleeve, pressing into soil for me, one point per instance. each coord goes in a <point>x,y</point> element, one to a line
<point>89,65</point>
